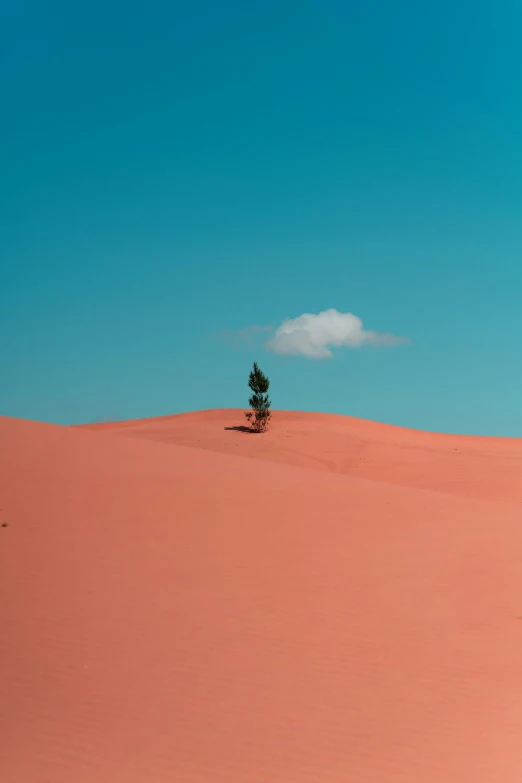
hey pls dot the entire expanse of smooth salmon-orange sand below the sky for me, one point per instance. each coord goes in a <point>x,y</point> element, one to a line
<point>176,614</point>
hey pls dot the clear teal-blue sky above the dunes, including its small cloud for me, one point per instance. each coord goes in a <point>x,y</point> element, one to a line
<point>333,189</point>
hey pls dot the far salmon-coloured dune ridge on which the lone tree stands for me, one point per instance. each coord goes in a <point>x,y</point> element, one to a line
<point>472,466</point>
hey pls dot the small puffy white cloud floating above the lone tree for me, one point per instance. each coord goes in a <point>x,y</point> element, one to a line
<point>314,335</point>
